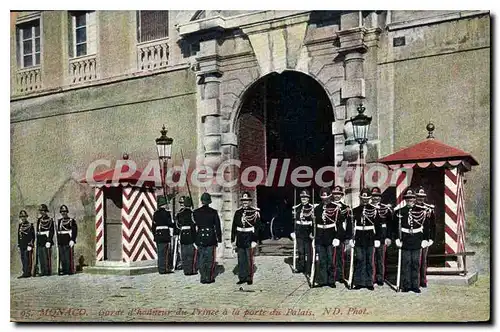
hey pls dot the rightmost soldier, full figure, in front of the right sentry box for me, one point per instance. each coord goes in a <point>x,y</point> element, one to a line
<point>411,237</point>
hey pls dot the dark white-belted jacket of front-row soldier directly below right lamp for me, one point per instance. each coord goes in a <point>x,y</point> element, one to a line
<point>365,227</point>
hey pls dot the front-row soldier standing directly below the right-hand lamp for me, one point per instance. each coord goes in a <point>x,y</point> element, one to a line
<point>364,236</point>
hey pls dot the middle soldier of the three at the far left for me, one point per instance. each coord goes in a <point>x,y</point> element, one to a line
<point>45,240</point>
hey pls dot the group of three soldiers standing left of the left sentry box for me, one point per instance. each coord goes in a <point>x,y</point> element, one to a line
<point>38,242</point>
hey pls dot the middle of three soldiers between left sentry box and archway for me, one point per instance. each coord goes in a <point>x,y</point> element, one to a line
<point>189,250</point>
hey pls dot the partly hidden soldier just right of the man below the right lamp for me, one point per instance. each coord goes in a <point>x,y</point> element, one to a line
<point>385,217</point>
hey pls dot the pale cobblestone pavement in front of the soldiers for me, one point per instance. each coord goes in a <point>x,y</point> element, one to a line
<point>277,295</point>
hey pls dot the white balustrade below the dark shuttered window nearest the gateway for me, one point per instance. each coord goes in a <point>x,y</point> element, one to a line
<point>152,55</point>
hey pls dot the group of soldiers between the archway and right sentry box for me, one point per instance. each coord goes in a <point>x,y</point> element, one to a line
<point>324,232</point>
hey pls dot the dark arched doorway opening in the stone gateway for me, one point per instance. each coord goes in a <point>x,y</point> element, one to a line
<point>282,116</point>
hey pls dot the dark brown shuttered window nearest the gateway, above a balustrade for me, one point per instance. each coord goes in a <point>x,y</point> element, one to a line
<point>152,25</point>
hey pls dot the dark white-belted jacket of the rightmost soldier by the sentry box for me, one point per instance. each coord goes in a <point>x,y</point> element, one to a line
<point>413,228</point>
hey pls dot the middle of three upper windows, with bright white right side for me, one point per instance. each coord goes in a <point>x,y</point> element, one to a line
<point>83,33</point>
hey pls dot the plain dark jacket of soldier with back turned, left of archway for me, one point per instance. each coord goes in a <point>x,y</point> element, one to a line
<point>208,222</point>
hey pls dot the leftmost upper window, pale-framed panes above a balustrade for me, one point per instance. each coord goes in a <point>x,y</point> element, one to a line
<point>28,41</point>
